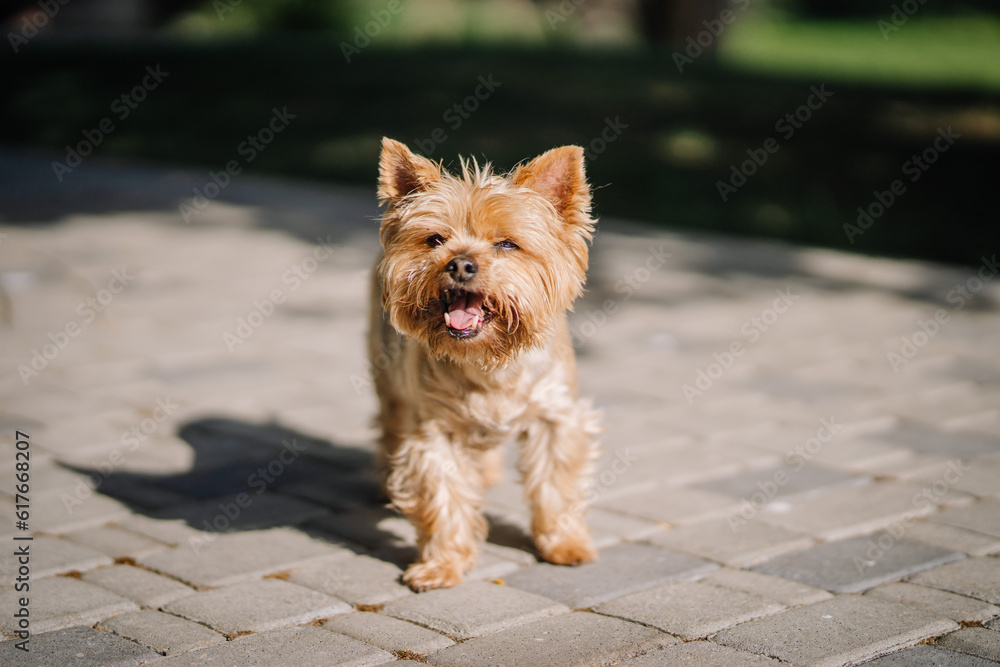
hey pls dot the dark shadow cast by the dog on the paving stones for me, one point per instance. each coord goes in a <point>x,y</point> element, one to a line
<point>247,476</point>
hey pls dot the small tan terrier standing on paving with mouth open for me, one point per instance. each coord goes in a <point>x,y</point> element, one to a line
<point>469,327</point>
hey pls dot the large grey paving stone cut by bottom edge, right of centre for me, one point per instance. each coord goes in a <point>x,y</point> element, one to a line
<point>840,631</point>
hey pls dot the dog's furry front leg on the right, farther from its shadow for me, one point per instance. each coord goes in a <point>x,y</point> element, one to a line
<point>557,451</point>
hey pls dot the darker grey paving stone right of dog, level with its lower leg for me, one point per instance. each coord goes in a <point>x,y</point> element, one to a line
<point>777,482</point>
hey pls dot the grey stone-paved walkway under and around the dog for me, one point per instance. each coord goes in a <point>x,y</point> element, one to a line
<point>801,464</point>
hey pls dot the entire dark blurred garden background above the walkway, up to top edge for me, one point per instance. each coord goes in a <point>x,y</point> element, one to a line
<point>609,63</point>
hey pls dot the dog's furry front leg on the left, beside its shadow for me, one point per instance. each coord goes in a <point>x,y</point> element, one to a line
<point>439,489</point>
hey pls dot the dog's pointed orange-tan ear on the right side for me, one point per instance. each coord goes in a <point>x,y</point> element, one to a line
<point>559,176</point>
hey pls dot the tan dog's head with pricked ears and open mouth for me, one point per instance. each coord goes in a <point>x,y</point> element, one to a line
<point>479,266</point>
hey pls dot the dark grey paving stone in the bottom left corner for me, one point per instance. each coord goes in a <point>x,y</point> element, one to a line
<point>76,647</point>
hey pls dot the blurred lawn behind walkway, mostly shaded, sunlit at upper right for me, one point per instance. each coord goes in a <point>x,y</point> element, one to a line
<point>684,133</point>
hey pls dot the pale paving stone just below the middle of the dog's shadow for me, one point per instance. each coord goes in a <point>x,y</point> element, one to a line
<point>238,557</point>
